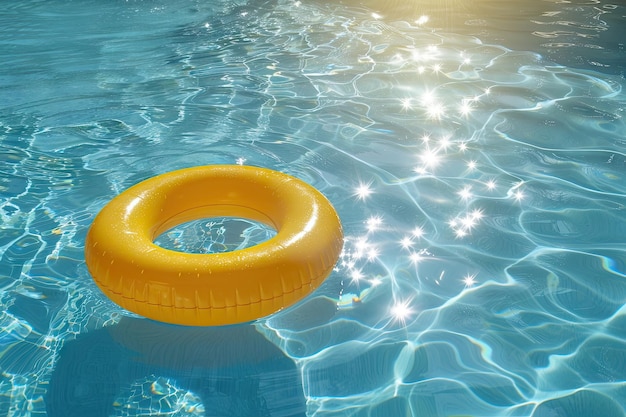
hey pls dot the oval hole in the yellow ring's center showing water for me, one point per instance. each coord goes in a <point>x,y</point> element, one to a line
<point>215,235</point>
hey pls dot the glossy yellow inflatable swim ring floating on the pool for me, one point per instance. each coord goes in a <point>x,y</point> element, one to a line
<point>217,288</point>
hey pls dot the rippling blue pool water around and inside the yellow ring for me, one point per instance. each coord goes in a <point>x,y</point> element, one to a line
<point>476,154</point>
